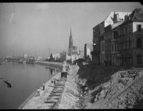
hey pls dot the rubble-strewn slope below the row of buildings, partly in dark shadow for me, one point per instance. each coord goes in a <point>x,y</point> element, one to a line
<point>110,87</point>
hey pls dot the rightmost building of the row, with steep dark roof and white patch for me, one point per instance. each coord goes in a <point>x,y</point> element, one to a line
<point>130,39</point>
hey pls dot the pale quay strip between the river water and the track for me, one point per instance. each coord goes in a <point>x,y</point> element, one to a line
<point>36,100</point>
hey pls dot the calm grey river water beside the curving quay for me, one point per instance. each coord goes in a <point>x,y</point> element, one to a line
<point>24,78</point>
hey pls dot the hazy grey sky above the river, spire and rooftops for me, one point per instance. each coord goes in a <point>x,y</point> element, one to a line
<point>33,28</point>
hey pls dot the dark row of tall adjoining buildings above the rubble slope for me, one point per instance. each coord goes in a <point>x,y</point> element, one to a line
<point>118,40</point>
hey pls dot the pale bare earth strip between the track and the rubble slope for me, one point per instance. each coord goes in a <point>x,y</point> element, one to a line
<point>71,93</point>
